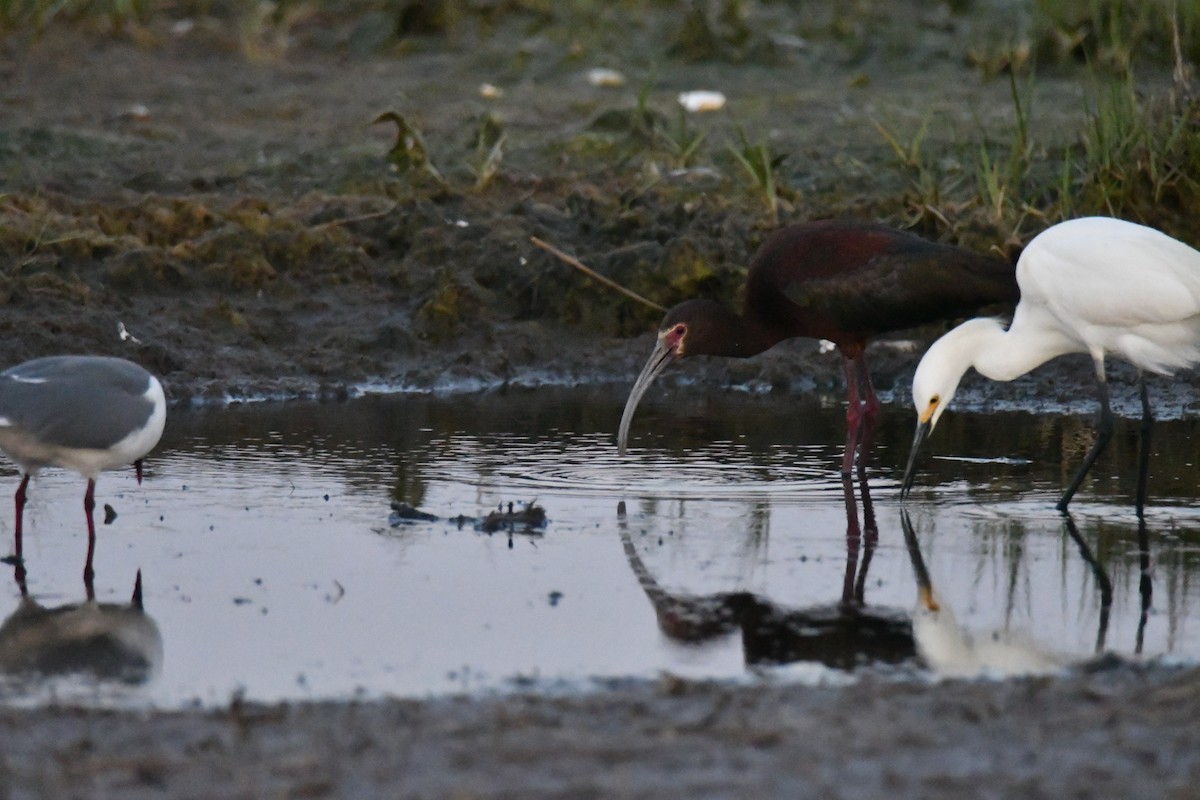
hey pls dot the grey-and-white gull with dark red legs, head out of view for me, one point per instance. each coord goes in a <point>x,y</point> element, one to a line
<point>83,413</point>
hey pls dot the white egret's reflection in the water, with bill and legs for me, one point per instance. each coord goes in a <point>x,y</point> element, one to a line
<point>950,649</point>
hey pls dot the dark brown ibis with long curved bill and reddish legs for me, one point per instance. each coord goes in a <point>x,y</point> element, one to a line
<point>839,280</point>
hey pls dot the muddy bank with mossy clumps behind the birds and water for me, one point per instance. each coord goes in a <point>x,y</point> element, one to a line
<point>248,222</point>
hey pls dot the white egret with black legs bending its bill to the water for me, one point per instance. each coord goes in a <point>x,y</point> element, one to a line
<point>1096,286</point>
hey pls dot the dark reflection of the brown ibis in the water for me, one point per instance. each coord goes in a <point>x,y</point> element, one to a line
<point>842,635</point>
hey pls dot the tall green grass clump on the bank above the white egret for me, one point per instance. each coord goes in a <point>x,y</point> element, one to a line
<point>1135,155</point>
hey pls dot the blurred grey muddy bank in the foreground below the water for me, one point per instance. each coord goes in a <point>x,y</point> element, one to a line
<point>1117,732</point>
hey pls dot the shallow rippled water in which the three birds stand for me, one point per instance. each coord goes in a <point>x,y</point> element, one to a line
<point>272,572</point>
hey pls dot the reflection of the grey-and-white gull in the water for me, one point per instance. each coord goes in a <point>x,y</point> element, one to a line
<point>103,642</point>
